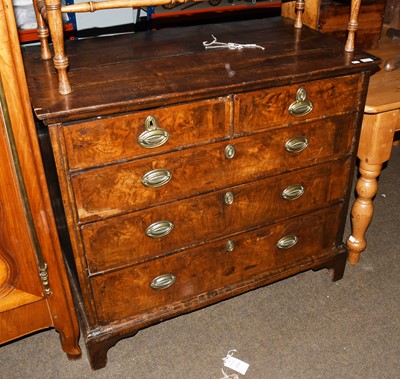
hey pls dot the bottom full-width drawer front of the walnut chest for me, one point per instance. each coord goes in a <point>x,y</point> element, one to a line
<point>196,272</point>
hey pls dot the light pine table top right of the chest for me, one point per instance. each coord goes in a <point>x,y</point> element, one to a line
<point>384,86</point>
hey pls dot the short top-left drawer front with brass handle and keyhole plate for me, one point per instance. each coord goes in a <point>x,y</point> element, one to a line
<point>103,141</point>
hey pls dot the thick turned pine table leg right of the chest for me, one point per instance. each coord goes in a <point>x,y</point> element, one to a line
<point>376,140</point>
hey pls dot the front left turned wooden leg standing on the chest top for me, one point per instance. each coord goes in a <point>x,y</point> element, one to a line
<point>54,17</point>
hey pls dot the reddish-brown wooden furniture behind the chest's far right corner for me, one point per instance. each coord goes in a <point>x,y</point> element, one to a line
<point>332,16</point>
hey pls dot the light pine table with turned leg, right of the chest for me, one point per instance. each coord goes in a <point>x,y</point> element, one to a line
<point>381,121</point>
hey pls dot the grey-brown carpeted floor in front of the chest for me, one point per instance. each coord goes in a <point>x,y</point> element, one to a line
<point>302,327</point>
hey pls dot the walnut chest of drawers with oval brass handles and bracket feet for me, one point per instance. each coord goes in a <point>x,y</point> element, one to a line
<point>188,176</point>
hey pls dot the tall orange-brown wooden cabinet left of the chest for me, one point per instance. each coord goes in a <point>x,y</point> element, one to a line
<point>34,288</point>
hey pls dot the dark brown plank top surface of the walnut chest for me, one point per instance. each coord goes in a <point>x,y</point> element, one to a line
<point>157,68</point>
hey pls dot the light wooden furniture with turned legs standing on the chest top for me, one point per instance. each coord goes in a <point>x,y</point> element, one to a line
<point>49,17</point>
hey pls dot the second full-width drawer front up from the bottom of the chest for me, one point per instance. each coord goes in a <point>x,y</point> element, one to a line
<point>156,231</point>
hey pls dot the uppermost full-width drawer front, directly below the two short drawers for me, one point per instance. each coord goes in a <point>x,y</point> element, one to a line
<point>119,189</point>
